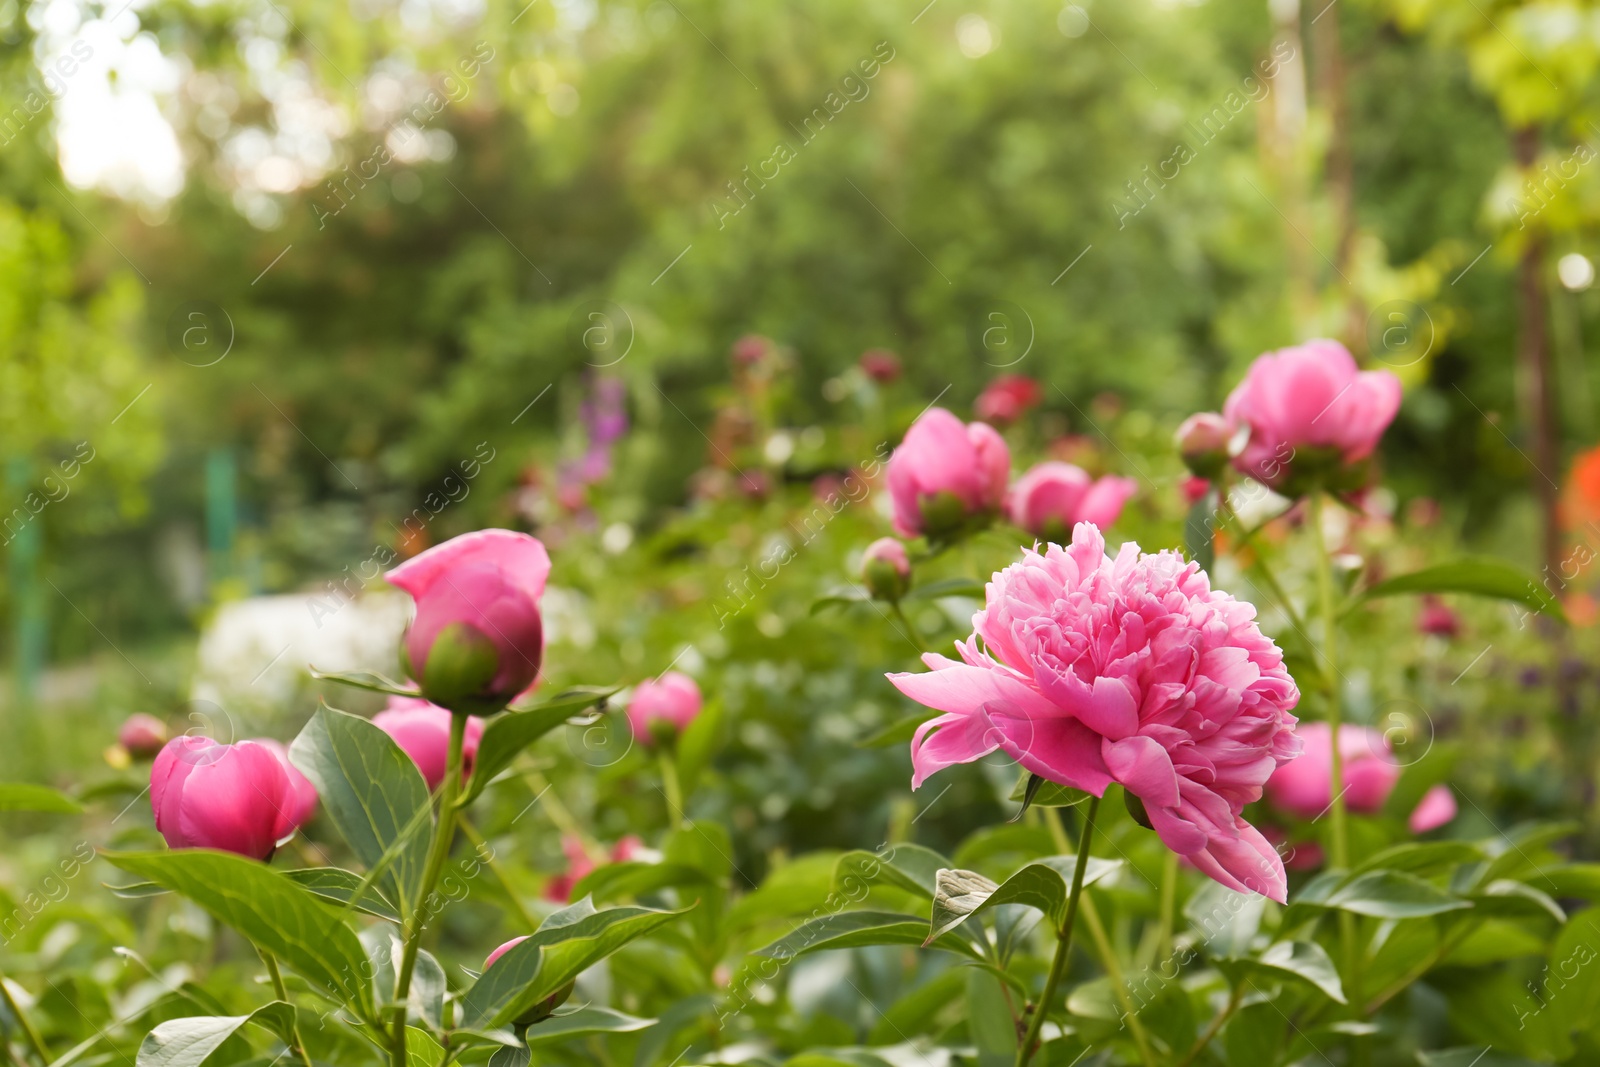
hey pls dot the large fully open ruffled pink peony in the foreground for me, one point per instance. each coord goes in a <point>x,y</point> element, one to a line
<point>1092,671</point>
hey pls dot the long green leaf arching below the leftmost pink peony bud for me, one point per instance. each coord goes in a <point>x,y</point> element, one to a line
<point>281,917</point>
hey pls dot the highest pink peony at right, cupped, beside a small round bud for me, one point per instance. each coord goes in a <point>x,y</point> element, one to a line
<point>1311,415</point>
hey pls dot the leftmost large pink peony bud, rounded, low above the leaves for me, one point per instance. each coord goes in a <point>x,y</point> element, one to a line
<point>239,797</point>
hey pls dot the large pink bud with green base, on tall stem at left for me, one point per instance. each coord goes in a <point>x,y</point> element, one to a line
<point>478,639</point>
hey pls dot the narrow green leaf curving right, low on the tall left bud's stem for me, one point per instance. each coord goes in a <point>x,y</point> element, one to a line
<point>551,959</point>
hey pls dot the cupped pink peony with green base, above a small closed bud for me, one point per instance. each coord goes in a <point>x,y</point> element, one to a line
<point>946,474</point>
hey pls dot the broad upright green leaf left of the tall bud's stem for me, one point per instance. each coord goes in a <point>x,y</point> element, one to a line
<point>374,793</point>
